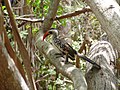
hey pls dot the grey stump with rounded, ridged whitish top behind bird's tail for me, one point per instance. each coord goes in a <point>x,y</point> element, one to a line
<point>105,78</point>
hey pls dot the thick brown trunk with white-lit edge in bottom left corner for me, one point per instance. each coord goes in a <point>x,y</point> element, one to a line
<point>10,78</point>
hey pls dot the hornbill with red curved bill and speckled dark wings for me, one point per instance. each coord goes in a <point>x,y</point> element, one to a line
<point>65,48</point>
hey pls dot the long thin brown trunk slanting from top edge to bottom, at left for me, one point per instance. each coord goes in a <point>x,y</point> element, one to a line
<point>21,47</point>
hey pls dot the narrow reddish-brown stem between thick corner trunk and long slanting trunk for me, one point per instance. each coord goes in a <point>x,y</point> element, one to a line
<point>9,48</point>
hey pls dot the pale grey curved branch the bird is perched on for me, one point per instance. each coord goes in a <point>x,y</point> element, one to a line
<point>68,70</point>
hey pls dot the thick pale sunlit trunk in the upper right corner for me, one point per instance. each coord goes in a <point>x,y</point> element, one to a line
<point>108,14</point>
